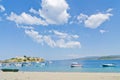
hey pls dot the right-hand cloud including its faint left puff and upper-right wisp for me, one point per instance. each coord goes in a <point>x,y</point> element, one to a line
<point>95,20</point>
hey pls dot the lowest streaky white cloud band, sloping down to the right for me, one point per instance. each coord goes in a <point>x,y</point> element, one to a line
<point>59,42</point>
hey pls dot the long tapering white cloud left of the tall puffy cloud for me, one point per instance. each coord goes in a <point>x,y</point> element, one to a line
<point>26,19</point>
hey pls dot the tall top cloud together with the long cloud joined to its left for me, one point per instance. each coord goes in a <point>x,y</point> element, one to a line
<point>51,13</point>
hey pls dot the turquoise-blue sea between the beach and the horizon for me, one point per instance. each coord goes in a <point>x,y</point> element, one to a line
<point>65,66</point>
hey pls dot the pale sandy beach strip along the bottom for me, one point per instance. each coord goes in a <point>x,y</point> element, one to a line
<point>58,76</point>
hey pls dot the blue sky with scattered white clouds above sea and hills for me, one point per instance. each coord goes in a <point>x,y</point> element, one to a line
<point>59,29</point>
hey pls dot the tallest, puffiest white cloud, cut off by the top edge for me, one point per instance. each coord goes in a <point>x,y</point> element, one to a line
<point>54,11</point>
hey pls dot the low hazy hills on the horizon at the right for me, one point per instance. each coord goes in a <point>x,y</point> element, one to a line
<point>111,57</point>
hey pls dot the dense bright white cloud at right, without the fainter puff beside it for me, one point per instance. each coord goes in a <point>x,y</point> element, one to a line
<point>96,20</point>
